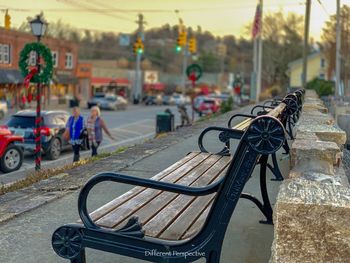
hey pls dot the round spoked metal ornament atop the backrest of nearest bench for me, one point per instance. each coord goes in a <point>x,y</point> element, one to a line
<point>266,135</point>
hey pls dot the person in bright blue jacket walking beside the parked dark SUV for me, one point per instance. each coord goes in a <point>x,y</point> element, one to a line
<point>75,132</point>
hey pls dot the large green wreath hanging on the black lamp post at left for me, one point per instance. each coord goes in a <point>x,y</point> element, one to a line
<point>45,73</point>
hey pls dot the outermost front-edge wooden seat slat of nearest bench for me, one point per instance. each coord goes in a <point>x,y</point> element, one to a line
<point>97,214</point>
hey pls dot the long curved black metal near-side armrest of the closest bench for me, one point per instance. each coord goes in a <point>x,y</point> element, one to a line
<point>149,183</point>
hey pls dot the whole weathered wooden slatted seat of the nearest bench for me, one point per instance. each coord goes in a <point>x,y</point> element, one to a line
<point>167,215</point>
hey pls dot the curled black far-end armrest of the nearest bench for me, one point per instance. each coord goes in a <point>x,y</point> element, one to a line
<point>224,136</point>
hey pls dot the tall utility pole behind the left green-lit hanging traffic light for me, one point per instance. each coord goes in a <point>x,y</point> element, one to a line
<point>138,87</point>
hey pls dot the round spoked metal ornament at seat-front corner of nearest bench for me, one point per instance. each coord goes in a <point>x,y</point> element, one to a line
<point>67,242</point>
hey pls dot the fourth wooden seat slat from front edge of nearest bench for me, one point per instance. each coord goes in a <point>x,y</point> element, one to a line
<point>166,216</point>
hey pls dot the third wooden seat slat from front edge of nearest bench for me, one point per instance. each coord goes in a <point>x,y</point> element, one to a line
<point>149,210</point>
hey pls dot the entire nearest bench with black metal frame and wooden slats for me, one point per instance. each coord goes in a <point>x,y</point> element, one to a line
<point>181,214</point>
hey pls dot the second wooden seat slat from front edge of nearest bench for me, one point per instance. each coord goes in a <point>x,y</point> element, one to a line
<point>119,213</point>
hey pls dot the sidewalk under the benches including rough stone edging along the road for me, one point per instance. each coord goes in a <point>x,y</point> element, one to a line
<point>26,238</point>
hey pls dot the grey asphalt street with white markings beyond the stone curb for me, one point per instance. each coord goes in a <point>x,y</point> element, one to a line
<point>132,126</point>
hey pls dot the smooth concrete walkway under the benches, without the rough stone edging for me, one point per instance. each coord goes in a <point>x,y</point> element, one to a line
<point>27,238</point>
